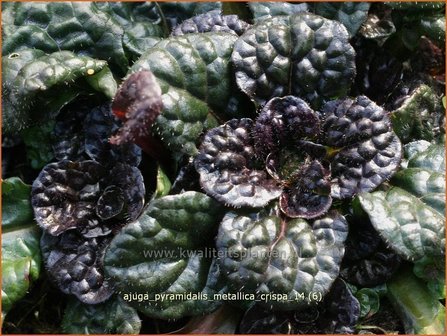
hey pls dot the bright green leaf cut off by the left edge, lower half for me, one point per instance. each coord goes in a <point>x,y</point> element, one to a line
<point>21,260</point>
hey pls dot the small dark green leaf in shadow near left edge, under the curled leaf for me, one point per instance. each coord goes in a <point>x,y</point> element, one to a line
<point>38,142</point>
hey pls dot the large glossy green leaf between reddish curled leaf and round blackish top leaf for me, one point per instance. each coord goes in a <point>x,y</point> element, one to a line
<point>195,76</point>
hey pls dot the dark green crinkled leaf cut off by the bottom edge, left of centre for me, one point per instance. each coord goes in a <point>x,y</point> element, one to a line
<point>111,317</point>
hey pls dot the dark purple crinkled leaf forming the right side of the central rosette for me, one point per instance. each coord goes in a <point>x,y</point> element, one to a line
<point>367,150</point>
